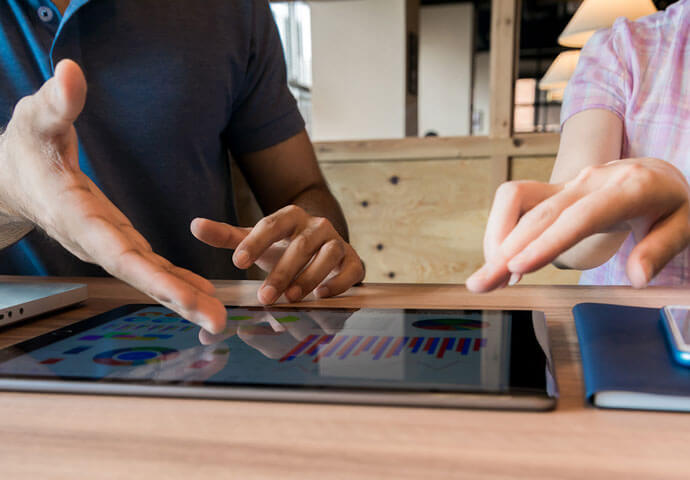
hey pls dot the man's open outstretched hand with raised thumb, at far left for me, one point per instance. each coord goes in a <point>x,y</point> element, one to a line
<point>41,182</point>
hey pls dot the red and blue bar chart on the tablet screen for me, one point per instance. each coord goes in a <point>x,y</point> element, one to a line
<point>342,346</point>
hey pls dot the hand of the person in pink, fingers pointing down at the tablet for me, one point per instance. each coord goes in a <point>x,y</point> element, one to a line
<point>532,223</point>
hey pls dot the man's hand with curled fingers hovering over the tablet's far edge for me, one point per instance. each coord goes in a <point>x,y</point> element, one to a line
<point>299,251</point>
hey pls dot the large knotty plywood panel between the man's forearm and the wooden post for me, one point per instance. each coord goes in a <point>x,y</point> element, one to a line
<point>415,221</point>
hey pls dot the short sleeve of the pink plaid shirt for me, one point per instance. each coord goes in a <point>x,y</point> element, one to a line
<point>602,78</point>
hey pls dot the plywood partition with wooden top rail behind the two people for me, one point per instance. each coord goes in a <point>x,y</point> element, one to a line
<point>422,220</point>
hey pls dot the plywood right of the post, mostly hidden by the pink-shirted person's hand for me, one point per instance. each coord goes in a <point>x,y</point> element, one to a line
<point>539,168</point>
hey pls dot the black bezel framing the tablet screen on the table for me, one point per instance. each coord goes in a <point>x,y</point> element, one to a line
<point>525,351</point>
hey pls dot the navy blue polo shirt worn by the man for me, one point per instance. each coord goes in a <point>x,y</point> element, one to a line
<point>173,86</point>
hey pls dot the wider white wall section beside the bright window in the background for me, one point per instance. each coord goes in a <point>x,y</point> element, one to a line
<point>359,69</point>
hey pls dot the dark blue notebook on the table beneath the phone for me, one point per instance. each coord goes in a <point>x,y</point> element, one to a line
<point>626,360</point>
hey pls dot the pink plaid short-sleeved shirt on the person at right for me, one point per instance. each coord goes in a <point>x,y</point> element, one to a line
<point>637,71</point>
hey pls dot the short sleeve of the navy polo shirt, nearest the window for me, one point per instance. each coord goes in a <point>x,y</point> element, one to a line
<point>264,112</point>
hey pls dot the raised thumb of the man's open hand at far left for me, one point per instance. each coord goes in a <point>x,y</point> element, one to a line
<point>58,103</point>
